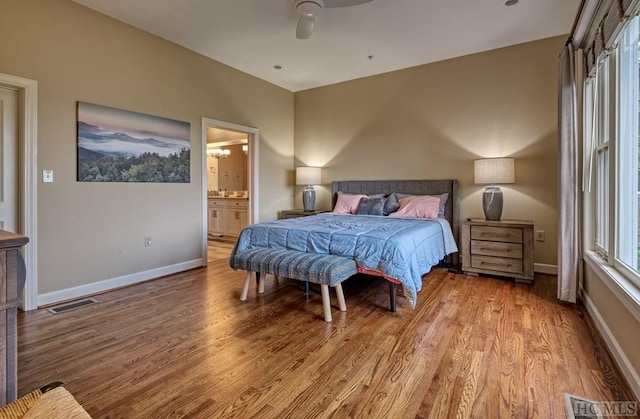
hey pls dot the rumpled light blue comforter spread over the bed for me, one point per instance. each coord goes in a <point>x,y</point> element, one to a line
<point>400,248</point>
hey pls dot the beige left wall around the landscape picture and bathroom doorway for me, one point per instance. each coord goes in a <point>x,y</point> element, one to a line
<point>90,232</point>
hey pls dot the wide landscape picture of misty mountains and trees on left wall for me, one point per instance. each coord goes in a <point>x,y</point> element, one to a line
<point>115,145</point>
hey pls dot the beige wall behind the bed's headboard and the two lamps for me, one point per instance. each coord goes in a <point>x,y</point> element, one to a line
<point>432,121</point>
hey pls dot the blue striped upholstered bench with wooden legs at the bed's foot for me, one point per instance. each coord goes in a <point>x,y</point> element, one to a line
<point>323,269</point>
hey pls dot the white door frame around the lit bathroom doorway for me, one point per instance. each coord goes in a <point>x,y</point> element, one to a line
<point>253,137</point>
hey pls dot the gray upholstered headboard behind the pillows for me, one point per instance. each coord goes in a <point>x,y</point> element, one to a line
<point>413,187</point>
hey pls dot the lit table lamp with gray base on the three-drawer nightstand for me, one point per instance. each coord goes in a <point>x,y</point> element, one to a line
<point>492,172</point>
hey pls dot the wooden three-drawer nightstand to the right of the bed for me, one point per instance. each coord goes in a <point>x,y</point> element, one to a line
<point>503,248</point>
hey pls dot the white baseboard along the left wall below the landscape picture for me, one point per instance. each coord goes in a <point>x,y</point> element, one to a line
<point>112,283</point>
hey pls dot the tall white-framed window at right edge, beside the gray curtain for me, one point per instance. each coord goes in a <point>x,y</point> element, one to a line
<point>612,158</point>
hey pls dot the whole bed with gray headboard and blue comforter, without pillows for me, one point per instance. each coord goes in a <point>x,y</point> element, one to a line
<point>398,249</point>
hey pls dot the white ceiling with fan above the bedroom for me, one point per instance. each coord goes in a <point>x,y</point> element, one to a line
<point>255,35</point>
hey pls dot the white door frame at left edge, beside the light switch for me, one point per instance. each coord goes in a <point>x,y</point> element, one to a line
<point>27,178</point>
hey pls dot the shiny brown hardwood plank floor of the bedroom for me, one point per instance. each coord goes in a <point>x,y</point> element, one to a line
<point>185,346</point>
